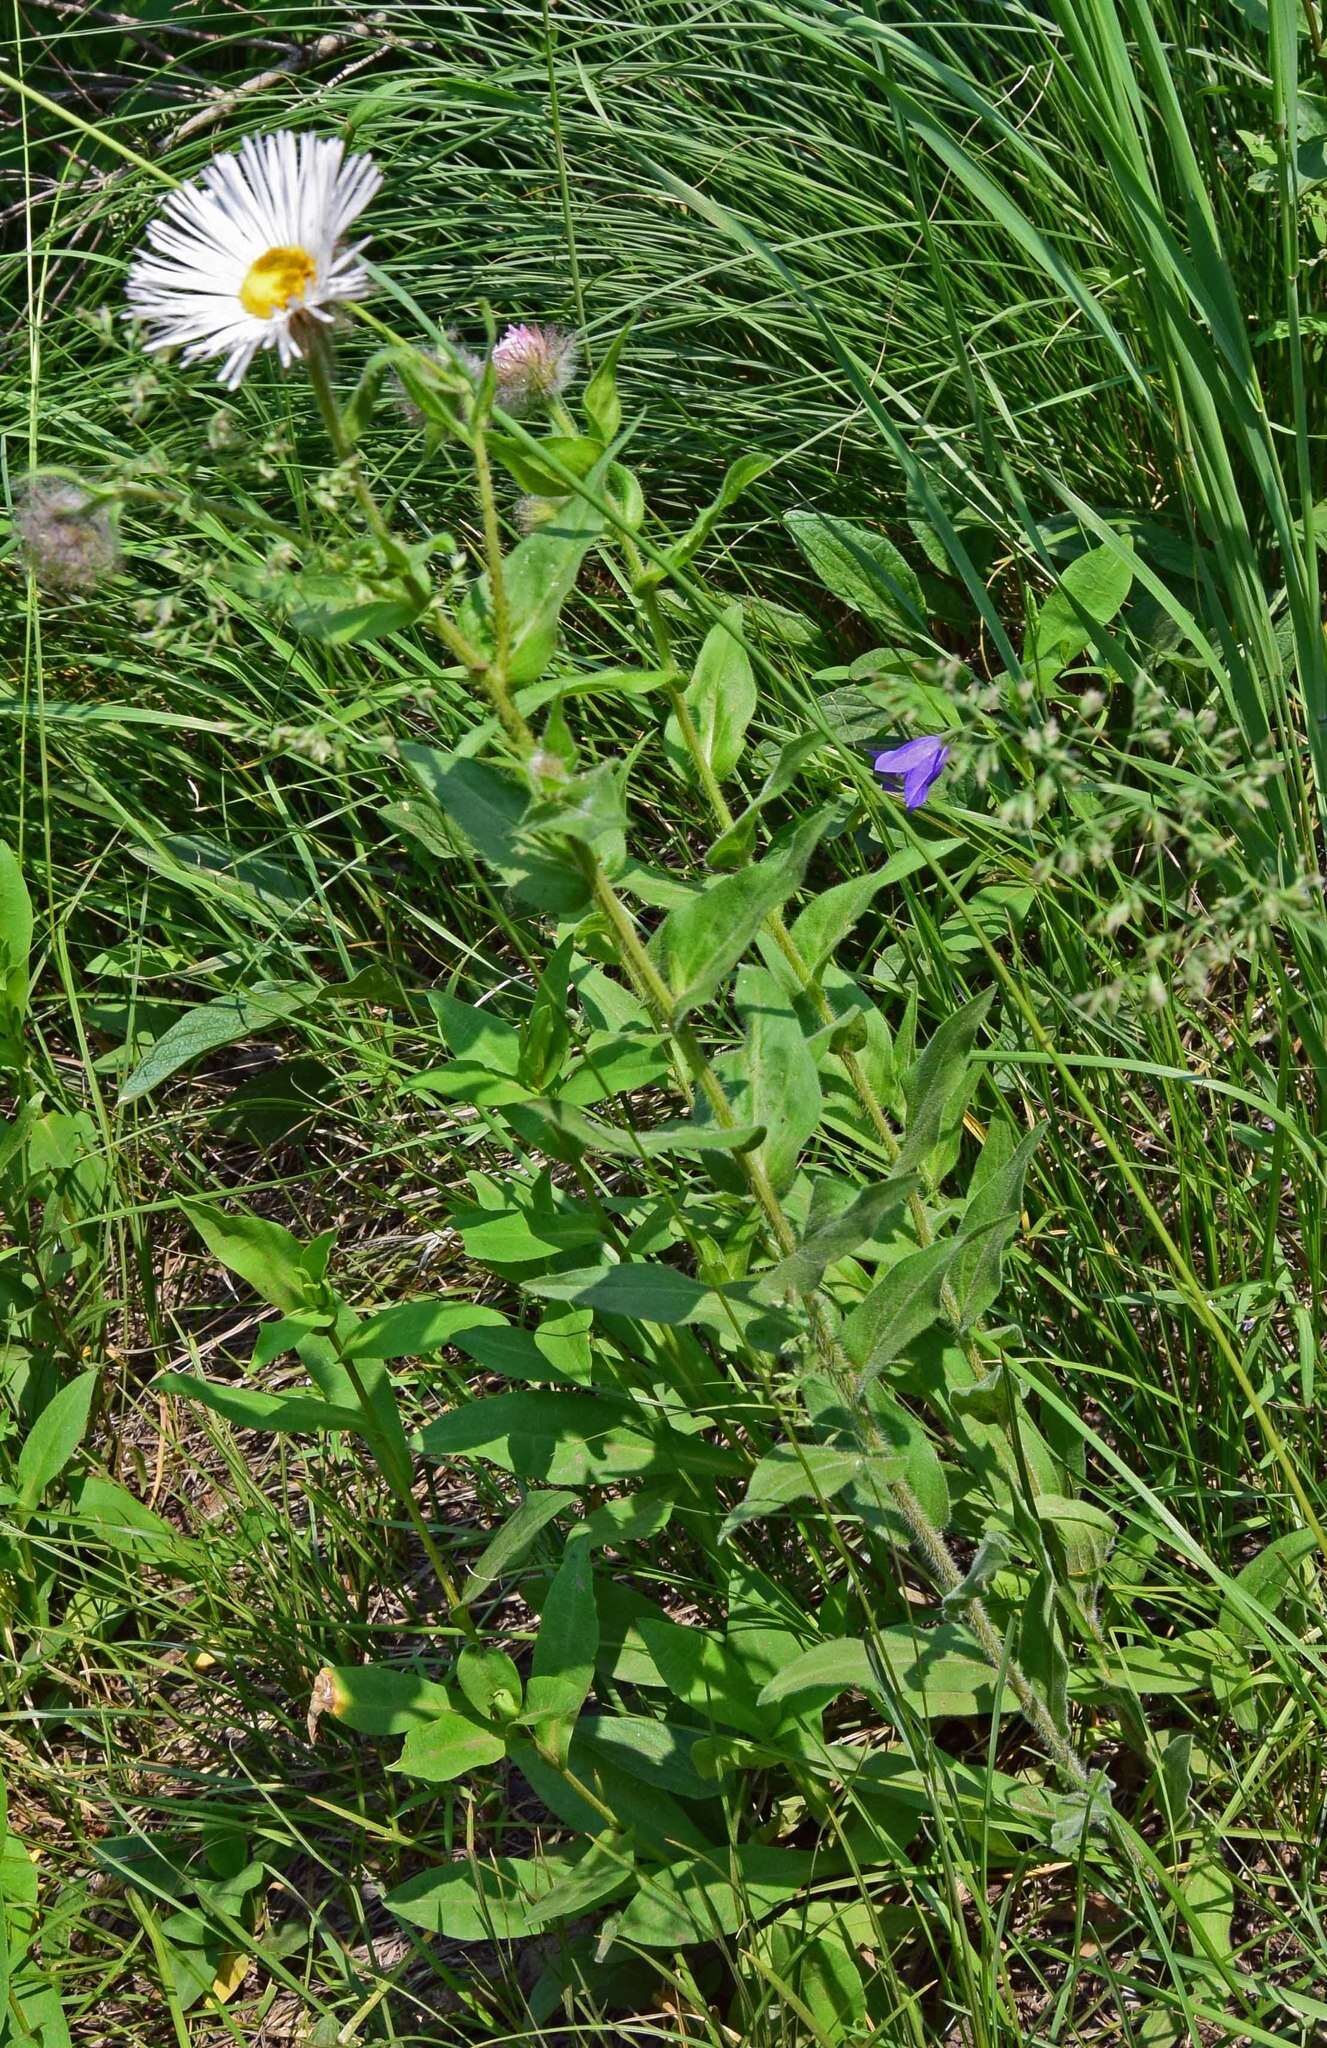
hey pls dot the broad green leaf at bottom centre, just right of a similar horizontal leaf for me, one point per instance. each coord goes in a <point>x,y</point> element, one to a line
<point>703,1897</point>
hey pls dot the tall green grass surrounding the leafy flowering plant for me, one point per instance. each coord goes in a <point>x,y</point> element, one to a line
<point>1002,284</point>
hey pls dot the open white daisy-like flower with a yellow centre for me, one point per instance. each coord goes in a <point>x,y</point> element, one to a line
<point>255,251</point>
